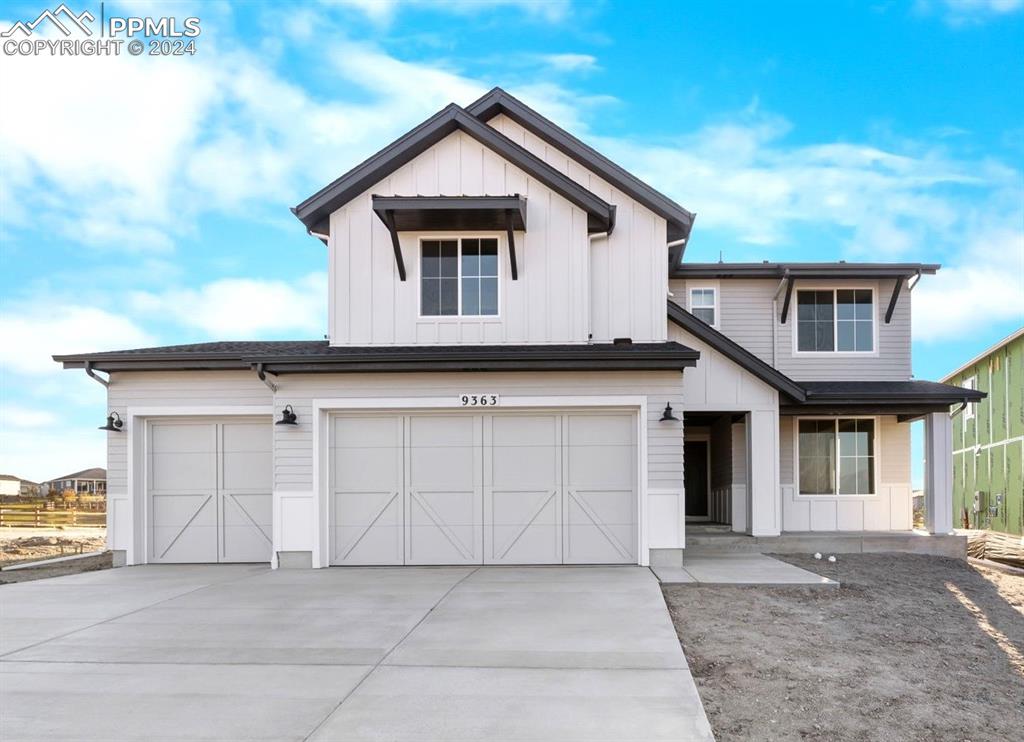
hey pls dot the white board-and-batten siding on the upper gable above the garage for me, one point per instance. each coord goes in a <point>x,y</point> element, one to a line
<point>568,291</point>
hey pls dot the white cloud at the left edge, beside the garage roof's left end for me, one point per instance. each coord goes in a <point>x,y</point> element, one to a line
<point>30,337</point>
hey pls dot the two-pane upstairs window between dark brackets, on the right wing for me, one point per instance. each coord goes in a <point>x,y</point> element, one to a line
<point>836,321</point>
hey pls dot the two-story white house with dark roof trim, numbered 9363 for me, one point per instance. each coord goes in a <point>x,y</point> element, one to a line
<point>523,369</point>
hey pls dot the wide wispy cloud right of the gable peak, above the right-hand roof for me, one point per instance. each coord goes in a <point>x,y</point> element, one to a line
<point>743,179</point>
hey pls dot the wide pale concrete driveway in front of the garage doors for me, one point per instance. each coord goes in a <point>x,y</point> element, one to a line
<point>444,653</point>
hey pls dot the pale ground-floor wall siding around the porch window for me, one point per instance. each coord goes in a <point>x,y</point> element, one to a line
<point>890,509</point>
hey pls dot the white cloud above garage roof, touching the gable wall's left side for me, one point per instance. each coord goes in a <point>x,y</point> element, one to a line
<point>243,309</point>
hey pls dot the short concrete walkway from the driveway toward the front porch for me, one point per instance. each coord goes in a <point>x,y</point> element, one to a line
<point>739,570</point>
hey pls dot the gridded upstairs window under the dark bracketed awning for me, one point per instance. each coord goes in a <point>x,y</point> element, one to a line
<point>459,278</point>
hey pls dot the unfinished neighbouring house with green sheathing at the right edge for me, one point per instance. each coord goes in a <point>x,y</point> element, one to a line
<point>989,441</point>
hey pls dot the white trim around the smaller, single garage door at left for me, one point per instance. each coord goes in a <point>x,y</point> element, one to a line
<point>136,427</point>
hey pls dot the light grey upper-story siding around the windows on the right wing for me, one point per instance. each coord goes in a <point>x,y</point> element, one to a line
<point>747,317</point>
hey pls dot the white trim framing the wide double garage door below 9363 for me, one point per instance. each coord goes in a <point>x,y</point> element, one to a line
<point>323,408</point>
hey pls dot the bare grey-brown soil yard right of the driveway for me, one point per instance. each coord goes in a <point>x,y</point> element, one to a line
<point>909,648</point>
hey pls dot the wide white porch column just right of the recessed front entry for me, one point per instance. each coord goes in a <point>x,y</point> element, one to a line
<point>762,472</point>
